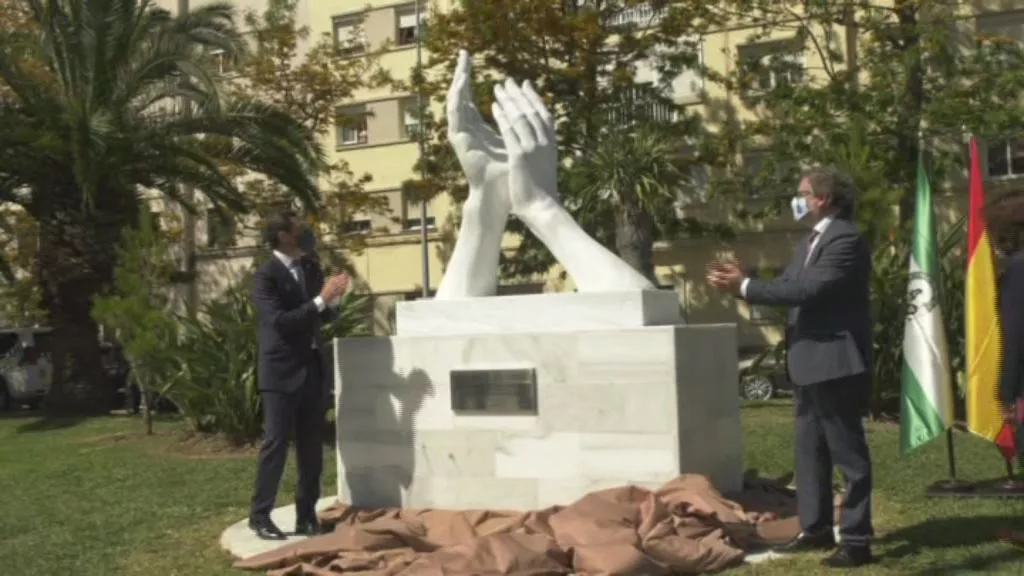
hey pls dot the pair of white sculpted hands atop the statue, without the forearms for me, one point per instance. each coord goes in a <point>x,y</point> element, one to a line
<point>515,172</point>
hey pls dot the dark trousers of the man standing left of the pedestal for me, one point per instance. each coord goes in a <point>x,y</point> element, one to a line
<point>302,412</point>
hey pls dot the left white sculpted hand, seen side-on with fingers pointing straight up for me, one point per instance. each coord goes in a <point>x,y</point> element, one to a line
<point>480,150</point>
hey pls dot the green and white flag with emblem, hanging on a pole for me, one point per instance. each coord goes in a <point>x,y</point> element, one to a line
<point>927,407</point>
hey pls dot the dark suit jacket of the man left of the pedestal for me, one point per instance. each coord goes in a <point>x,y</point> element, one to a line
<point>289,323</point>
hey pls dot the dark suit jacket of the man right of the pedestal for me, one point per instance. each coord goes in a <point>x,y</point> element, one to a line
<point>829,328</point>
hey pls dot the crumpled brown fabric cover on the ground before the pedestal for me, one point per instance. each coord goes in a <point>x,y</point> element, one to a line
<point>685,527</point>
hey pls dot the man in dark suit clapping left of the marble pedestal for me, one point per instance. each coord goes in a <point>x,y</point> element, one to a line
<point>292,301</point>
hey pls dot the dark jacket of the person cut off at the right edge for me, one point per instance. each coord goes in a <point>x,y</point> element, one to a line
<point>1012,324</point>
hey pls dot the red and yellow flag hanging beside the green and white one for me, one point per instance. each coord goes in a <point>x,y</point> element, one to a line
<point>985,416</point>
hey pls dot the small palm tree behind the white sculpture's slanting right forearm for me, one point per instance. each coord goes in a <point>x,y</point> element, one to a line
<point>633,172</point>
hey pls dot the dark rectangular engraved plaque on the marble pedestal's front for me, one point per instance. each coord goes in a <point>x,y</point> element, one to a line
<point>495,393</point>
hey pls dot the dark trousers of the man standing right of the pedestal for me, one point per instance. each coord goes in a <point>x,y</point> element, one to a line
<point>830,432</point>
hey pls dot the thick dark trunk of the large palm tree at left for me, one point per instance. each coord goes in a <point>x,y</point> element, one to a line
<point>77,256</point>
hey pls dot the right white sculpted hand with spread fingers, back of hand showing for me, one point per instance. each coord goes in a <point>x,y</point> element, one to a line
<point>529,132</point>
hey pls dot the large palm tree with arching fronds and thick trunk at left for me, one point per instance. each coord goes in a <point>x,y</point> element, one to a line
<point>100,102</point>
